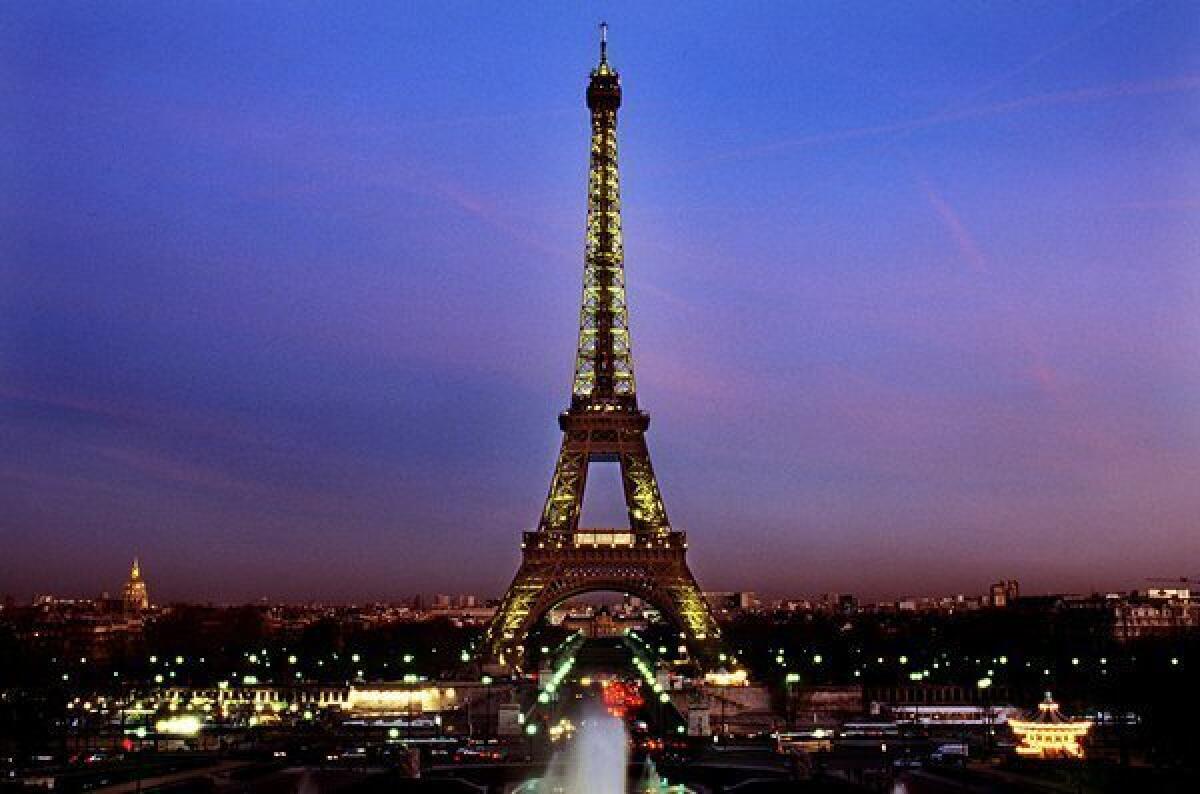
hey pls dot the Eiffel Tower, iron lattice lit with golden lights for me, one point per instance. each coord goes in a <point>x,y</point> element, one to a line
<point>604,424</point>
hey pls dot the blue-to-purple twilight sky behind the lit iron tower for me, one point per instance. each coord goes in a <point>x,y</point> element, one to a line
<point>289,292</point>
